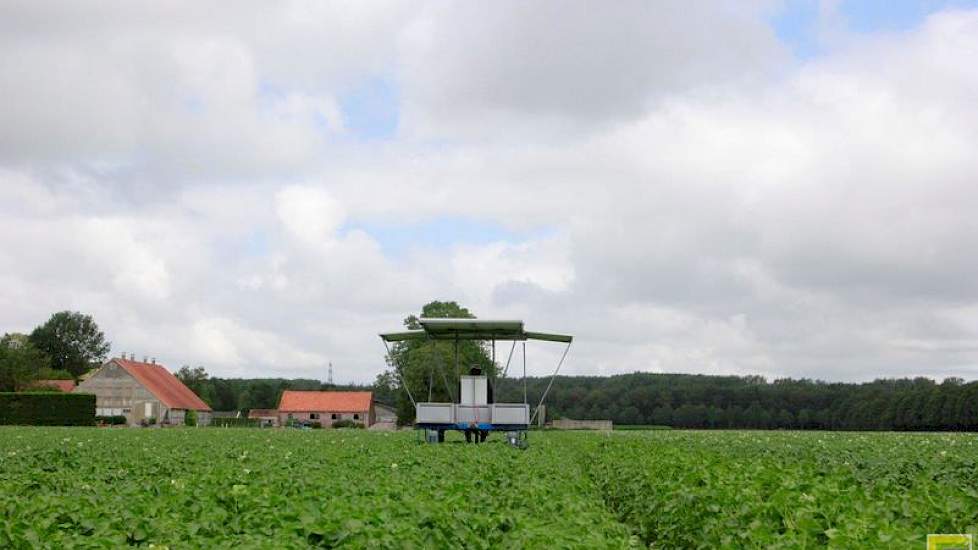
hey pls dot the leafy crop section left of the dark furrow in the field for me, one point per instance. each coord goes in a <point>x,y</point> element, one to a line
<point>64,488</point>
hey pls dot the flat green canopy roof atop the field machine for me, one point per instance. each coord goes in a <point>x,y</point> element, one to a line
<point>472,329</point>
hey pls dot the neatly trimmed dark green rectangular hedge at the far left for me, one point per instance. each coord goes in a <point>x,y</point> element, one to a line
<point>47,409</point>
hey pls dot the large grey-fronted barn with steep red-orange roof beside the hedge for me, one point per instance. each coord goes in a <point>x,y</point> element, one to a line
<point>142,391</point>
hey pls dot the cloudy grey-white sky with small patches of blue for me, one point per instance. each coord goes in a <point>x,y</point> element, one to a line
<point>780,188</point>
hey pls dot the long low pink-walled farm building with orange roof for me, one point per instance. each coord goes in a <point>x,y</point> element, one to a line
<point>326,407</point>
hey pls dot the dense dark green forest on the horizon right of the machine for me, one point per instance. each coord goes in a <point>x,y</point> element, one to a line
<point>700,401</point>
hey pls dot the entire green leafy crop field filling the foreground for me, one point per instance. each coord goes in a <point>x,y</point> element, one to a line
<point>248,488</point>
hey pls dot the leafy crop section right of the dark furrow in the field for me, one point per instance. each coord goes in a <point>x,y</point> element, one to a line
<point>787,489</point>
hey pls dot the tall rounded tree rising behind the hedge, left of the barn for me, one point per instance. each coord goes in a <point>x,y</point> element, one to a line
<point>72,340</point>
